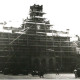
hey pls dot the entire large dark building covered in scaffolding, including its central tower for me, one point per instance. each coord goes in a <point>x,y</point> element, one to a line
<point>36,47</point>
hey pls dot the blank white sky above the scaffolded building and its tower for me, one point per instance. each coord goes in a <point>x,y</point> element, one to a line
<point>63,14</point>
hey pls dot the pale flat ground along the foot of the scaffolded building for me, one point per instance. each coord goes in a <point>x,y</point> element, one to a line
<point>46,76</point>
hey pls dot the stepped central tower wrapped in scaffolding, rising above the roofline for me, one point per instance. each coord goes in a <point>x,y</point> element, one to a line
<point>36,20</point>
